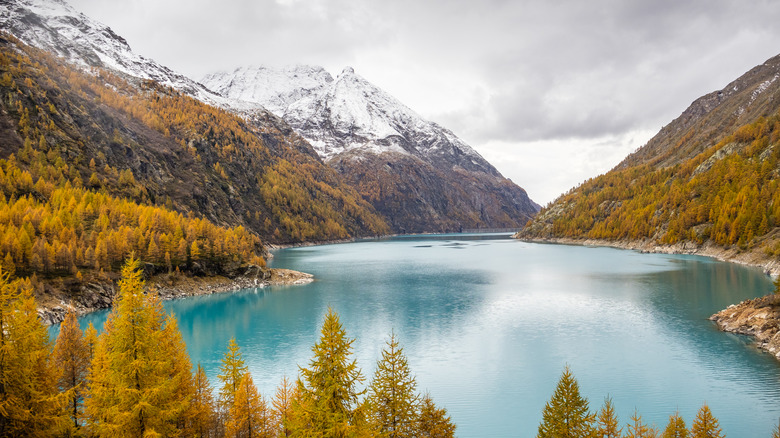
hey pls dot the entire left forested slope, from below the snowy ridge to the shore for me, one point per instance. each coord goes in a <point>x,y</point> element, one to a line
<point>94,168</point>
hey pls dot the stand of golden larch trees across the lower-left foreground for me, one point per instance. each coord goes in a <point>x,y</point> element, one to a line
<point>135,379</point>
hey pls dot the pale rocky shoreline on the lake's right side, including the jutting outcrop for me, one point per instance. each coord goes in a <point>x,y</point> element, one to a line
<point>758,318</point>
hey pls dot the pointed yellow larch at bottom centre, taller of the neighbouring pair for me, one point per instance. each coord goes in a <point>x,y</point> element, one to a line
<point>329,394</point>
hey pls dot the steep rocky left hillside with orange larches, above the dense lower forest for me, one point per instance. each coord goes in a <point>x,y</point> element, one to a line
<point>176,151</point>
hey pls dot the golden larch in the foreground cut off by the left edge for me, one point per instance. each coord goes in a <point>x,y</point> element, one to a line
<point>29,402</point>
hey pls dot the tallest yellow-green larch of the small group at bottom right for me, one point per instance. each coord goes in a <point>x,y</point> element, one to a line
<point>566,415</point>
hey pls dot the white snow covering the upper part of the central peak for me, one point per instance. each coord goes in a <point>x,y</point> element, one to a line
<point>345,114</point>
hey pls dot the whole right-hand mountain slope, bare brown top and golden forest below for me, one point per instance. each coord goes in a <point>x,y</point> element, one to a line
<point>707,182</point>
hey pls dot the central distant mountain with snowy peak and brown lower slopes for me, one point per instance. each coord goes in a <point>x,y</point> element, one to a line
<point>415,172</point>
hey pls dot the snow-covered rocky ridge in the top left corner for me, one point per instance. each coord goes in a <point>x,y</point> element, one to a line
<point>55,26</point>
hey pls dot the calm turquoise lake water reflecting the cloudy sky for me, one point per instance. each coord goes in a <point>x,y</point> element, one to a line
<point>488,324</point>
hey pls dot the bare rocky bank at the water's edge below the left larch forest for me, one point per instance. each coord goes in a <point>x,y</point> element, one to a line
<point>96,295</point>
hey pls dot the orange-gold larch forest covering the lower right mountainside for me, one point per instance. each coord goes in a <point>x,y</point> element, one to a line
<point>727,195</point>
